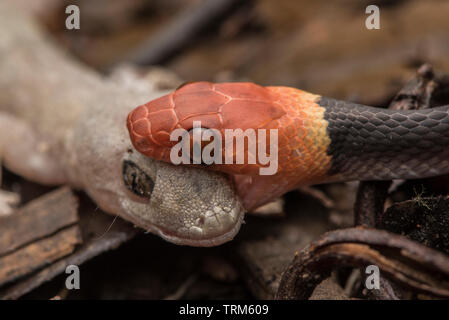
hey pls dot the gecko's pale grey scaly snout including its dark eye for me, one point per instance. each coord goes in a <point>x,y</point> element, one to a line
<point>187,206</point>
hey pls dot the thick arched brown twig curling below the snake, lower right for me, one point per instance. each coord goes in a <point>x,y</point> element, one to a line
<point>411,264</point>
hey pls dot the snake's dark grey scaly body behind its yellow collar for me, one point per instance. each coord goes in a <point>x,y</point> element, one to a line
<point>380,144</point>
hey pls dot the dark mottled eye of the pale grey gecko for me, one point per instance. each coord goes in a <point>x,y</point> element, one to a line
<point>136,180</point>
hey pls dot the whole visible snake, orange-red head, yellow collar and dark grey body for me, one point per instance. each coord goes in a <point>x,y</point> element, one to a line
<point>319,139</point>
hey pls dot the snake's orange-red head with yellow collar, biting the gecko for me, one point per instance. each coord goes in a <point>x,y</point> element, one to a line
<point>293,114</point>
